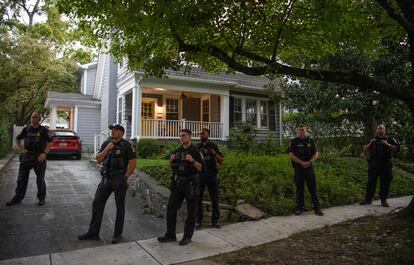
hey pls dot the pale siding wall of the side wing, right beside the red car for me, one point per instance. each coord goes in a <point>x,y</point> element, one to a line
<point>88,125</point>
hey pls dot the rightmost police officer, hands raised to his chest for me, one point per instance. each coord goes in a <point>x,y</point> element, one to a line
<point>380,149</point>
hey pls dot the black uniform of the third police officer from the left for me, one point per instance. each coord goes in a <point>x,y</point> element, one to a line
<point>184,185</point>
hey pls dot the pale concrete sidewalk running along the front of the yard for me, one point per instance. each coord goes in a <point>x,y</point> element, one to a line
<point>210,242</point>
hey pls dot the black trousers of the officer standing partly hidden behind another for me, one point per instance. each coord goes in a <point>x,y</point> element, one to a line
<point>212,184</point>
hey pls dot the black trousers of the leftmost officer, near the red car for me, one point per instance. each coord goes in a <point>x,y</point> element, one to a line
<point>23,178</point>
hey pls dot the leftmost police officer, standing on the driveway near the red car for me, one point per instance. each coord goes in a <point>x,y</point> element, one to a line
<point>37,143</point>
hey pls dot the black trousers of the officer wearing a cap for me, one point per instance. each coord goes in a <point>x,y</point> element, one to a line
<point>119,186</point>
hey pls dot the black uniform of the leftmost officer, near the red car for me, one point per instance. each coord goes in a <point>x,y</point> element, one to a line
<point>35,142</point>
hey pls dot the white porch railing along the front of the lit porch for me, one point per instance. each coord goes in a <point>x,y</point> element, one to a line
<point>170,129</point>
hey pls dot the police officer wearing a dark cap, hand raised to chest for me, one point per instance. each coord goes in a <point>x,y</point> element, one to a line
<point>119,161</point>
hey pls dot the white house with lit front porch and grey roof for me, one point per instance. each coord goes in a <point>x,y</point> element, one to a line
<point>157,108</point>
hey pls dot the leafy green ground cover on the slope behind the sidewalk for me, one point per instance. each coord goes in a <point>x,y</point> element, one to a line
<point>267,181</point>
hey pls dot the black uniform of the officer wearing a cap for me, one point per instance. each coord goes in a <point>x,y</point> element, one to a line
<point>113,180</point>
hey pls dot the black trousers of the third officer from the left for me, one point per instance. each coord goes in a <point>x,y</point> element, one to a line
<point>190,192</point>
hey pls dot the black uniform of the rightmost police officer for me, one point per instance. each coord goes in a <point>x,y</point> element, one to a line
<point>379,165</point>
